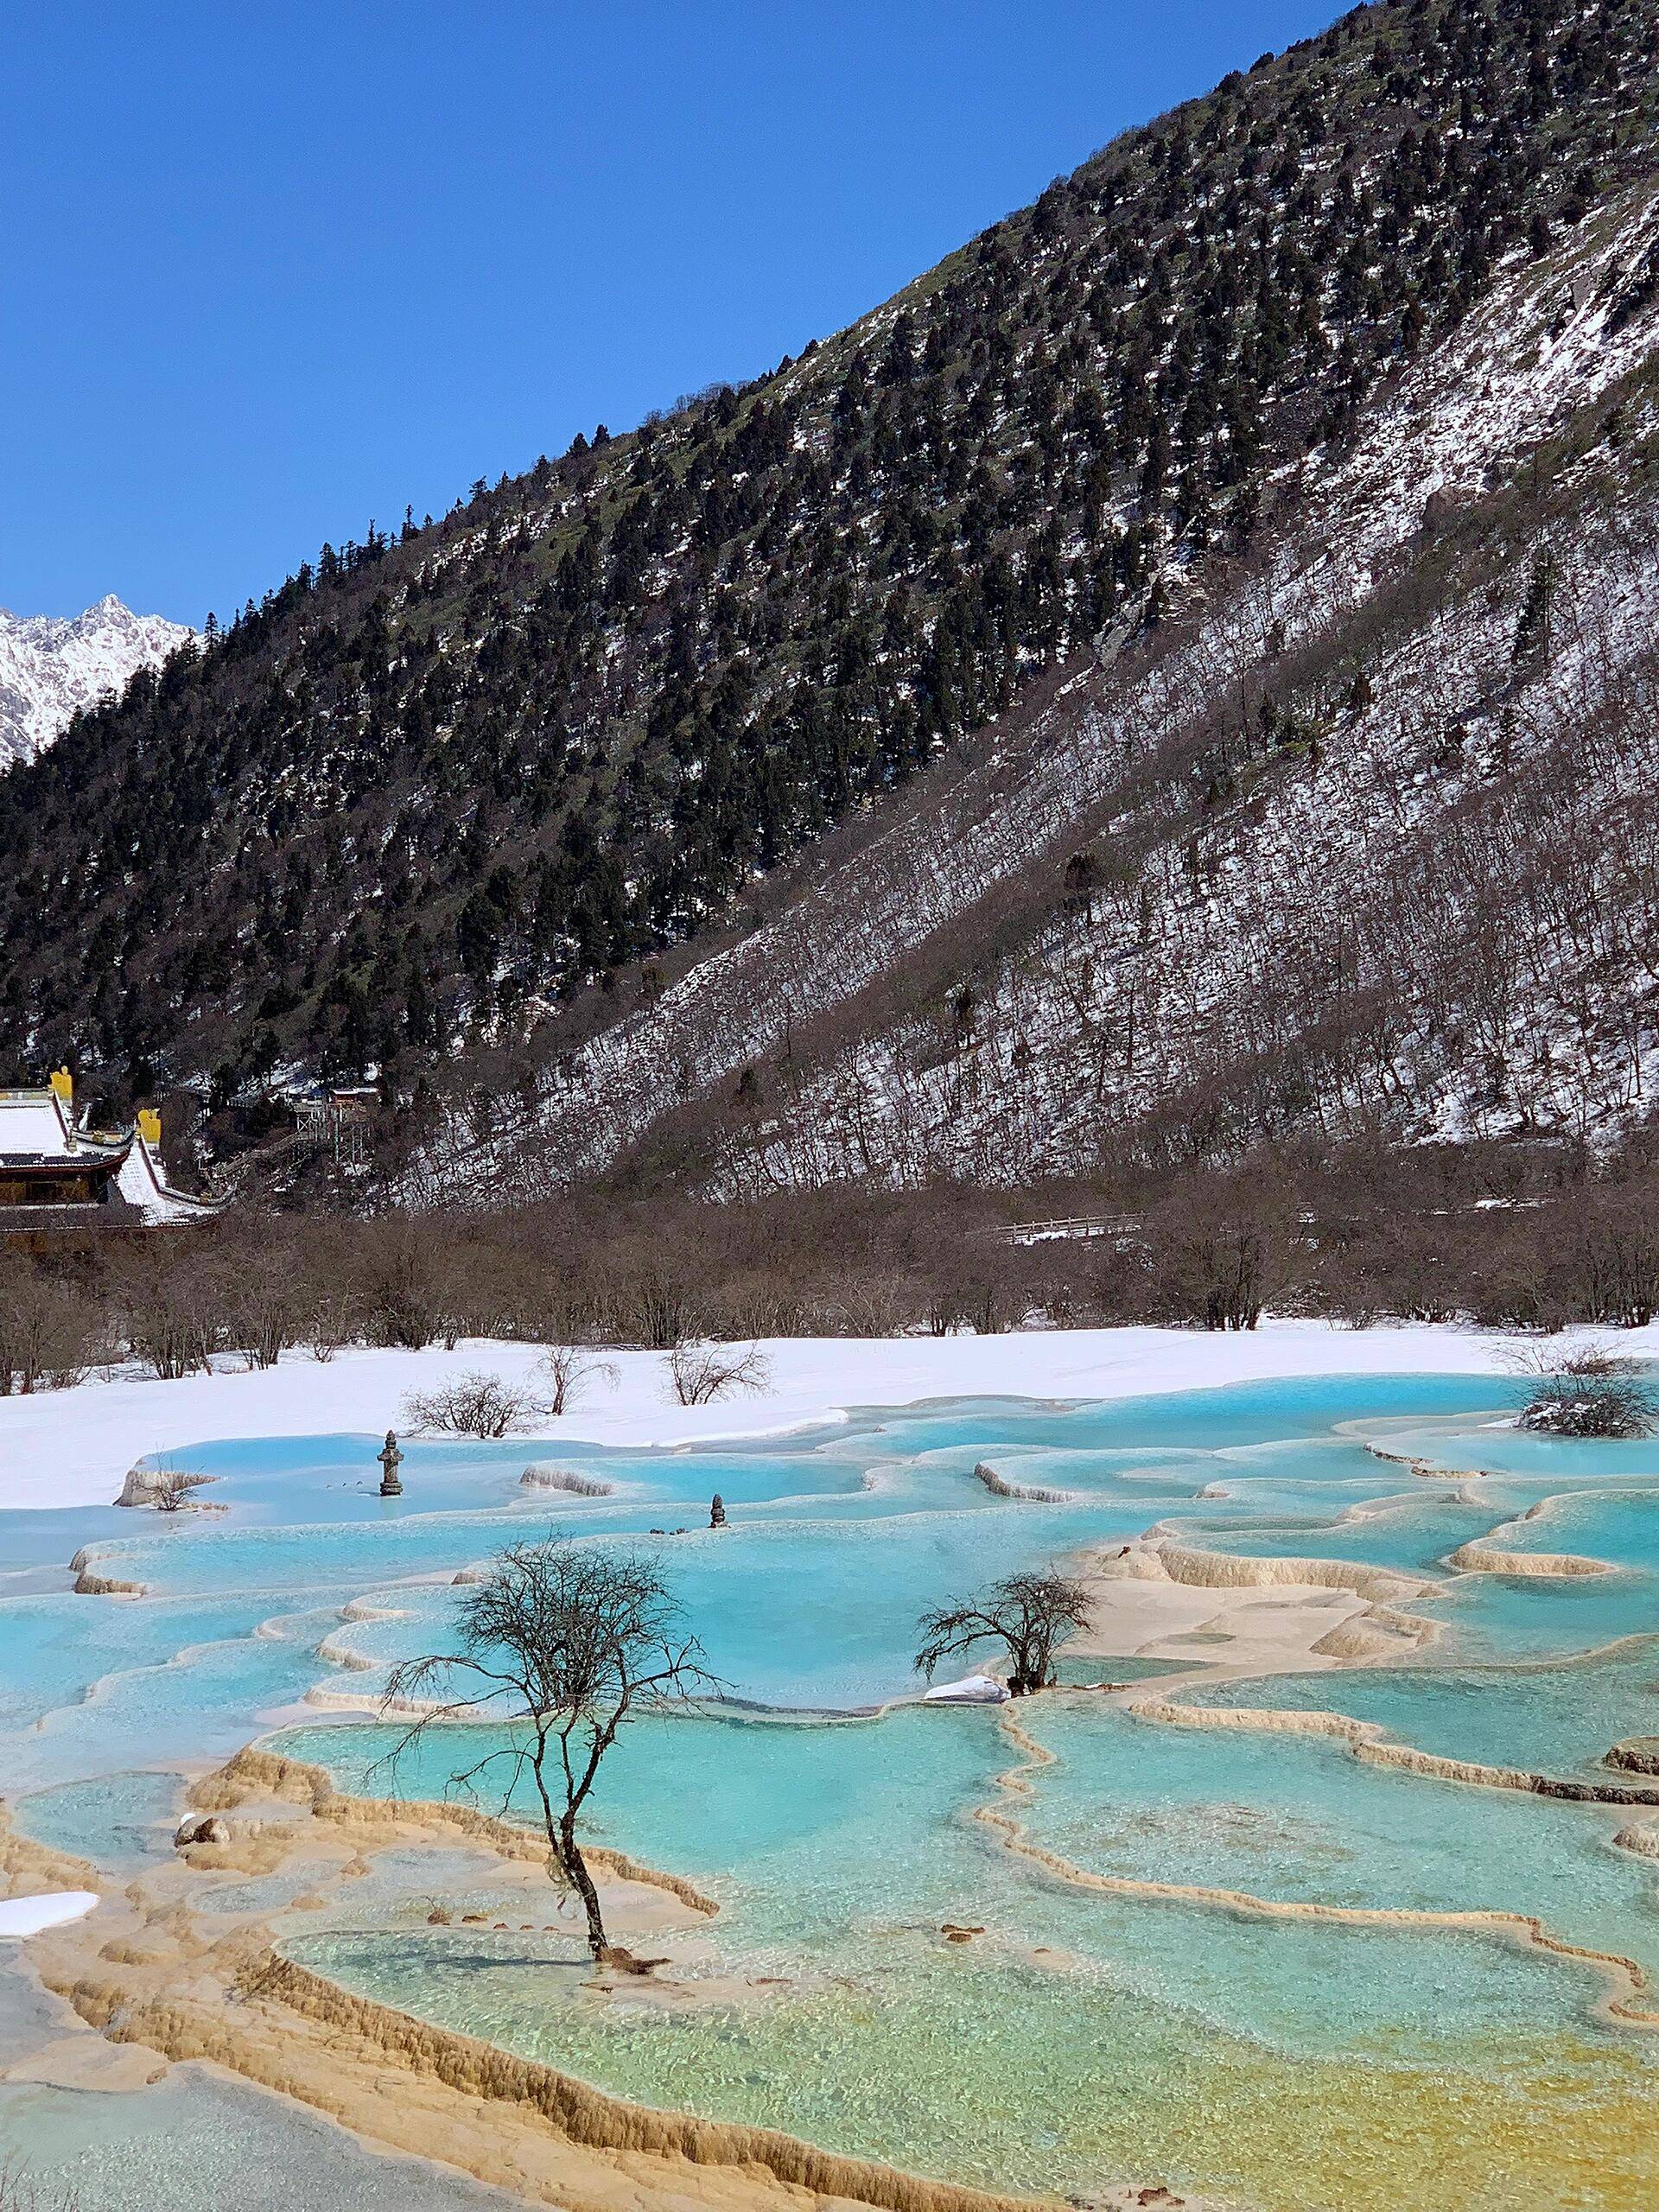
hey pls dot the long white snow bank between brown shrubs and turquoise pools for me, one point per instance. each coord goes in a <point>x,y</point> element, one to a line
<point>74,1448</point>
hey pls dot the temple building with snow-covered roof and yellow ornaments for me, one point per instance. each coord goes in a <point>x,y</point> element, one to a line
<point>59,1178</point>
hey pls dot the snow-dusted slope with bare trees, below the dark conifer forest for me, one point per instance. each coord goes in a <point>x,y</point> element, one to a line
<point>1339,844</point>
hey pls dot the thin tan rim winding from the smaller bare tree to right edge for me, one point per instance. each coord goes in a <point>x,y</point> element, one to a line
<point>1627,1981</point>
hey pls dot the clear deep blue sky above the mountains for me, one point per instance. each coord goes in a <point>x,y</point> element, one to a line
<point>273,271</point>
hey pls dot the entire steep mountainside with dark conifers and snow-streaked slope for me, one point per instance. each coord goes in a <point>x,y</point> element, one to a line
<point>820,764</point>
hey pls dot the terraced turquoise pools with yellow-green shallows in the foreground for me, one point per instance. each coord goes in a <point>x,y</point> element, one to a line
<point>1220,1948</point>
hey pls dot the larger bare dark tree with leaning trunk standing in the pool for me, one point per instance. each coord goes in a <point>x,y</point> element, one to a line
<point>570,1645</point>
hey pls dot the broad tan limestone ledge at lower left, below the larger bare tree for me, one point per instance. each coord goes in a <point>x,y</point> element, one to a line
<point>156,1976</point>
